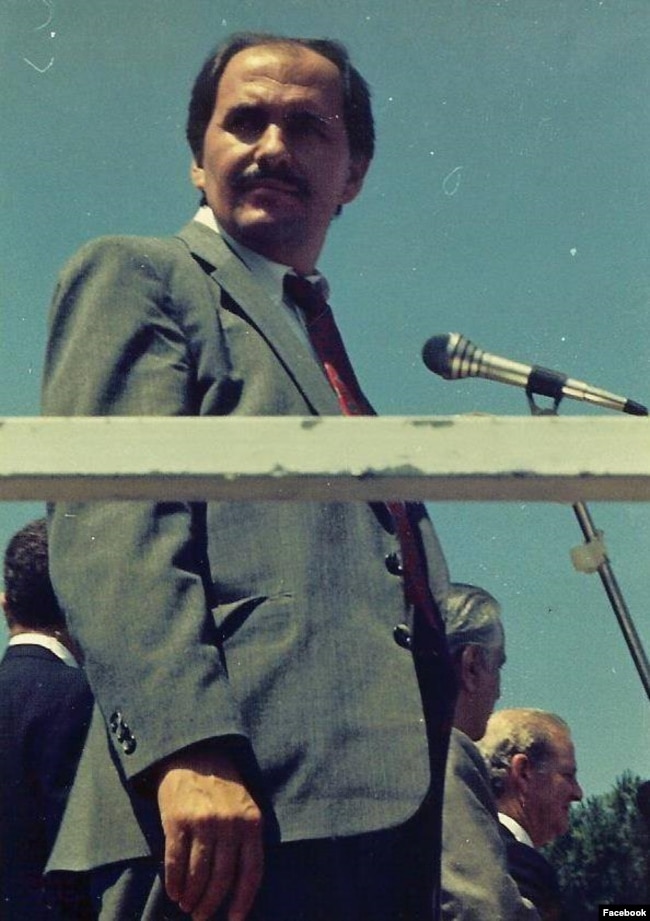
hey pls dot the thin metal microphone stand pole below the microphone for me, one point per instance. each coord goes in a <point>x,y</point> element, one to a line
<point>603,567</point>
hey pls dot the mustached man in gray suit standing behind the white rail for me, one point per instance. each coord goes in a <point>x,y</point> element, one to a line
<point>268,706</point>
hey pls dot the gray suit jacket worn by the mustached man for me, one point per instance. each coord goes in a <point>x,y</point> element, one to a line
<point>270,623</point>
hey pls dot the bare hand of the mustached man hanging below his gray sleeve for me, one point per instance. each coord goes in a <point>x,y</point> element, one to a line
<point>213,835</point>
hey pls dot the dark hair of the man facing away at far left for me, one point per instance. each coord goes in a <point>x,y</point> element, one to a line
<point>29,596</point>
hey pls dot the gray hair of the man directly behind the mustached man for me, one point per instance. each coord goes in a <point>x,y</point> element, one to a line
<point>472,617</point>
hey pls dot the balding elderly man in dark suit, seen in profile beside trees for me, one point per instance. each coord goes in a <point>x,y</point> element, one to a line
<point>533,771</point>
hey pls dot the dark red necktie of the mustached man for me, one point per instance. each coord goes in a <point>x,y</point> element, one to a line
<point>328,346</point>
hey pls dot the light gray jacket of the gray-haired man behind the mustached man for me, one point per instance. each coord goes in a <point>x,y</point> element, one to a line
<point>476,885</point>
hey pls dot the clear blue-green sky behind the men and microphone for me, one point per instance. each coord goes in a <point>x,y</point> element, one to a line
<point>508,200</point>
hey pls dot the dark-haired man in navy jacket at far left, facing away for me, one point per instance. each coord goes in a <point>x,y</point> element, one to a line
<point>45,707</point>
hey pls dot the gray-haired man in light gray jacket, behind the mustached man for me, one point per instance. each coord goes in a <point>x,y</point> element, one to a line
<point>476,884</point>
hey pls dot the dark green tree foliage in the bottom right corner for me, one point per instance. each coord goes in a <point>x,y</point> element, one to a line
<point>605,856</point>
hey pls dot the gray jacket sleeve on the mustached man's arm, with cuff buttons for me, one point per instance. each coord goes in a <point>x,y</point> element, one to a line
<point>131,575</point>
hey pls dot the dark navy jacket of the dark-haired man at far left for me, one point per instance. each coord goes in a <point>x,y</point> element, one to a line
<point>45,709</point>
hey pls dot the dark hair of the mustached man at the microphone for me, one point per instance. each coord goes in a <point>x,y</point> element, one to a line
<point>357,111</point>
